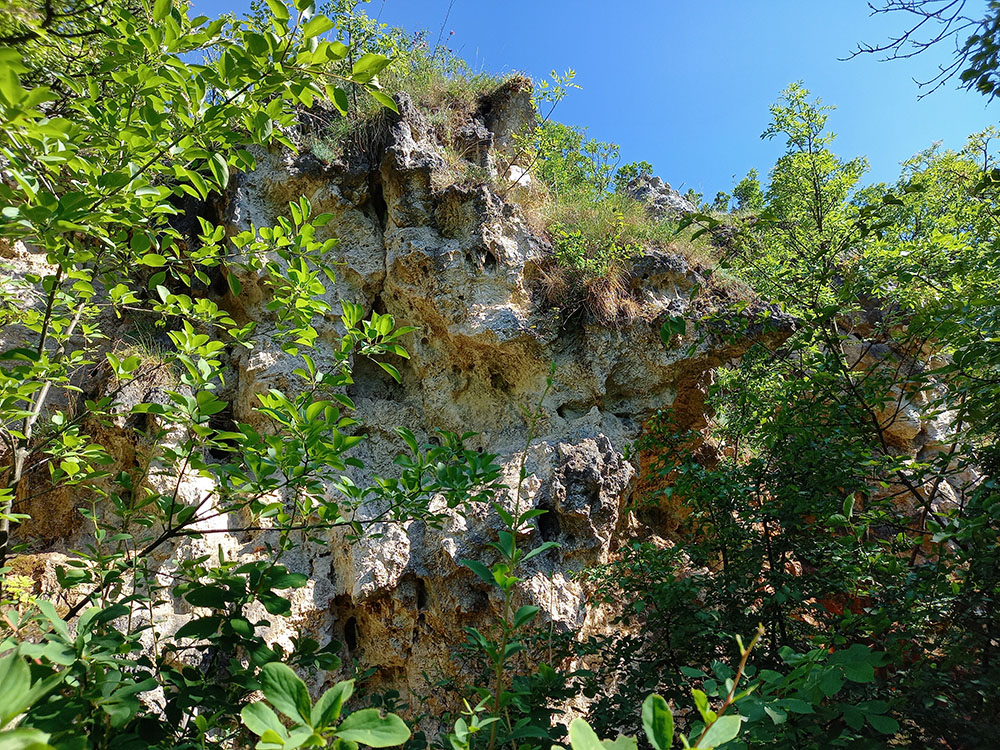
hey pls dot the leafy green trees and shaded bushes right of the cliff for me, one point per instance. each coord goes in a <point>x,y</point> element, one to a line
<point>801,505</point>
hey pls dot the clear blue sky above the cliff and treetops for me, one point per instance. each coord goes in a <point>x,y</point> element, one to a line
<point>686,84</point>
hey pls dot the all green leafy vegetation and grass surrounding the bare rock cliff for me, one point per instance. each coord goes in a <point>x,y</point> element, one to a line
<point>858,557</point>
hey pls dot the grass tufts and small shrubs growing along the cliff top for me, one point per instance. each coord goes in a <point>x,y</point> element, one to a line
<point>595,234</point>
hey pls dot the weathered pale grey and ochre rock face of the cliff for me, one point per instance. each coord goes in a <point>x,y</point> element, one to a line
<point>457,263</point>
